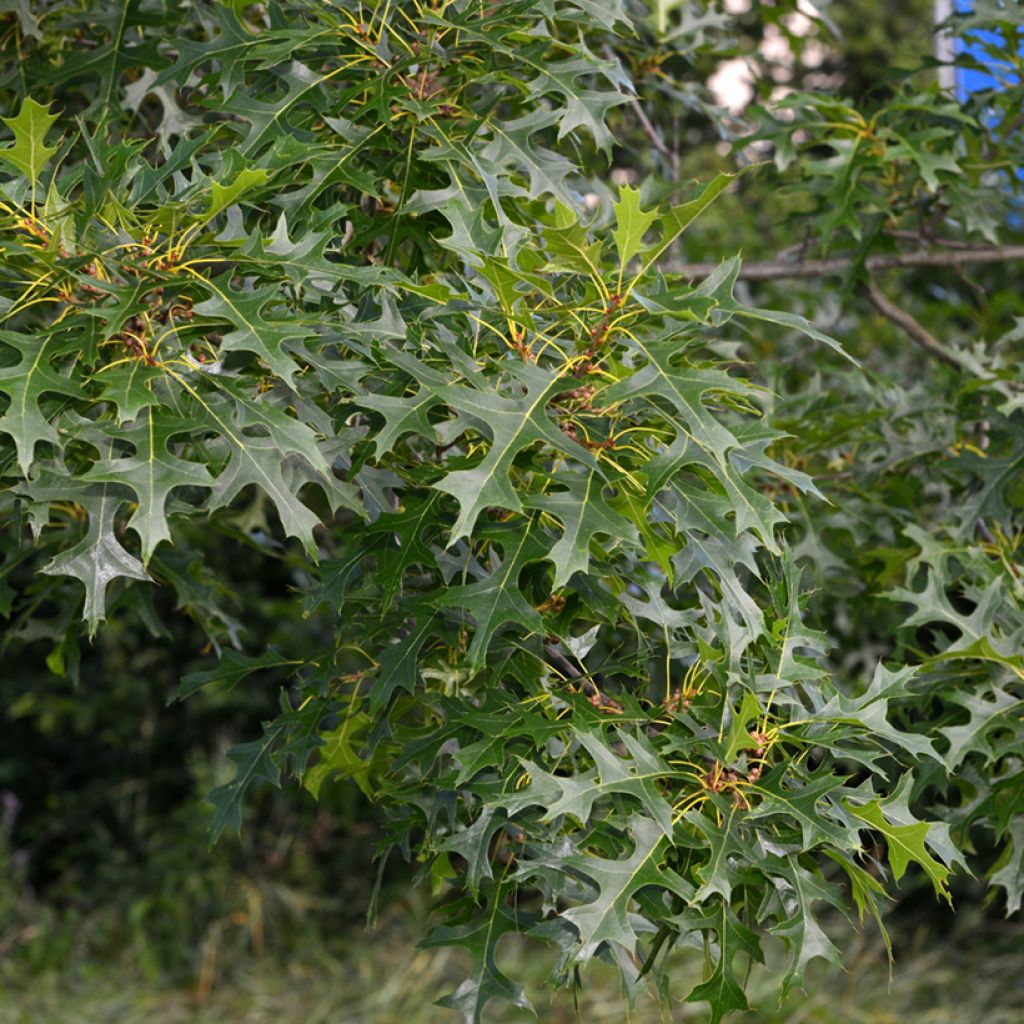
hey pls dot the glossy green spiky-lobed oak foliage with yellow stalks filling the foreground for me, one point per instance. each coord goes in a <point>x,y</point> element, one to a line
<point>323,282</point>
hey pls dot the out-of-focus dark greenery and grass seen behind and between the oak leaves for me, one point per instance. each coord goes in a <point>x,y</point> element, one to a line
<point>113,908</point>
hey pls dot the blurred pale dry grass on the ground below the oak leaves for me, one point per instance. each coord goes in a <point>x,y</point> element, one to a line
<point>380,978</point>
